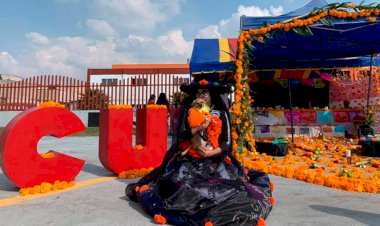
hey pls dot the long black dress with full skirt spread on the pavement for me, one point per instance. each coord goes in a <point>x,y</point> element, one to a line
<point>191,191</point>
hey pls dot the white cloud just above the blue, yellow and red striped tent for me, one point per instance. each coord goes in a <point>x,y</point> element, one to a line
<point>230,27</point>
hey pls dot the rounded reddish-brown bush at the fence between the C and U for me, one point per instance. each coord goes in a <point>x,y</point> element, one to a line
<point>92,99</point>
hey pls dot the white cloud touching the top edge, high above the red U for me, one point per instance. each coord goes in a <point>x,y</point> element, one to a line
<point>142,15</point>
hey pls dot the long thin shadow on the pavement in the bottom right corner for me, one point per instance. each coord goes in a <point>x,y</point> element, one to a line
<point>361,216</point>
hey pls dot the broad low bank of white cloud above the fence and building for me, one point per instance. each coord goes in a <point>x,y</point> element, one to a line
<point>72,56</point>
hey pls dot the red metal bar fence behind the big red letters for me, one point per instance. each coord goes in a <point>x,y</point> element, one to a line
<point>80,95</point>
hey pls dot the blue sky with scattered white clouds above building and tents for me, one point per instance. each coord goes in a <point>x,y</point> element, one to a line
<point>66,37</point>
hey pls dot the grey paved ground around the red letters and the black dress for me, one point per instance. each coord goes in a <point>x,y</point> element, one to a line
<point>104,203</point>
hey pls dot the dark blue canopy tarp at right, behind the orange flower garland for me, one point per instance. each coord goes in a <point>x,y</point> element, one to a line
<point>291,50</point>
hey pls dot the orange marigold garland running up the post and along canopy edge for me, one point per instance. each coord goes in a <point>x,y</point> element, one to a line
<point>241,113</point>
